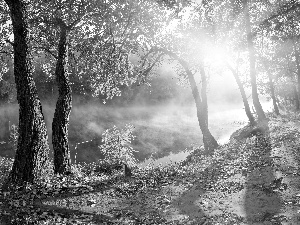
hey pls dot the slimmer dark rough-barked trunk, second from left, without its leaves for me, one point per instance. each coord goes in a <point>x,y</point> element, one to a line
<point>60,124</point>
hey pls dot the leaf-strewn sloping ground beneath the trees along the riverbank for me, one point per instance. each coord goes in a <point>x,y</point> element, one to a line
<point>253,180</point>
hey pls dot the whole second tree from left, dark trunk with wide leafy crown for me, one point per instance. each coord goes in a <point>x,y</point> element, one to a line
<point>100,37</point>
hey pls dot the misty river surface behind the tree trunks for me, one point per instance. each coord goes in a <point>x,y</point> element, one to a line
<point>164,131</point>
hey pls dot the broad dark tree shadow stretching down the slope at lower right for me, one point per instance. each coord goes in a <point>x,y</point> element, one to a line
<point>261,202</point>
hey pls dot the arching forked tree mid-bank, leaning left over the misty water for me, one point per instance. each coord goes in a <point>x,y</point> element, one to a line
<point>179,48</point>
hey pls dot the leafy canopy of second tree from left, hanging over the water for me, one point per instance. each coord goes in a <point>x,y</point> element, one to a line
<point>103,37</point>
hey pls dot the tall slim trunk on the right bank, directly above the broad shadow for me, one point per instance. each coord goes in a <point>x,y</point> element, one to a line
<point>258,108</point>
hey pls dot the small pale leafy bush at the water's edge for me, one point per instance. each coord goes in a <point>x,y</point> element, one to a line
<point>116,147</point>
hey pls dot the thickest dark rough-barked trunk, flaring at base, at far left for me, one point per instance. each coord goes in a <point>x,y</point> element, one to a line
<point>32,149</point>
